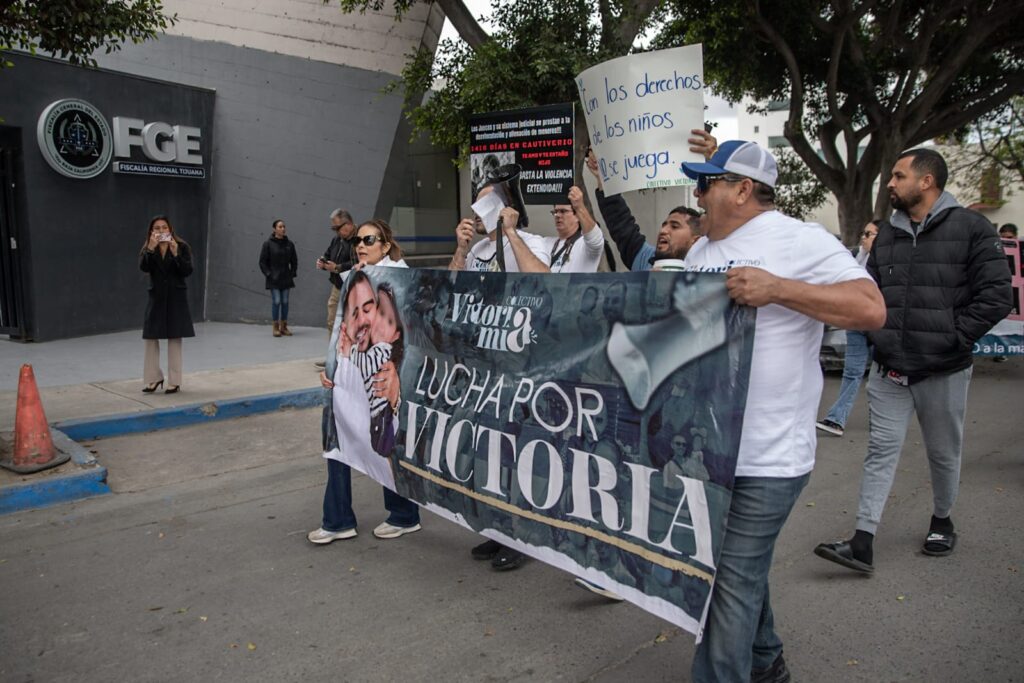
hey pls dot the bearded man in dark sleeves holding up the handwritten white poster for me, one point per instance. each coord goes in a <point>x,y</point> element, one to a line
<point>679,231</point>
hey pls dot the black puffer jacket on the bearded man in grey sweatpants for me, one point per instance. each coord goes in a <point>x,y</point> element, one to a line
<point>945,288</point>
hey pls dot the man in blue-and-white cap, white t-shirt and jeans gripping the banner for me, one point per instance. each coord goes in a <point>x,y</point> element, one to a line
<point>798,276</point>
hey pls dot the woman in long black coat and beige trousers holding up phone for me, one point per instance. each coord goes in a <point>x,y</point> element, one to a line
<point>168,261</point>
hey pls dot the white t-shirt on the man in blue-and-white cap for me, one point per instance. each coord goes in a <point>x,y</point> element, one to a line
<point>779,439</point>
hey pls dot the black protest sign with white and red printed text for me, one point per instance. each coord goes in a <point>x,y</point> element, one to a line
<point>538,139</point>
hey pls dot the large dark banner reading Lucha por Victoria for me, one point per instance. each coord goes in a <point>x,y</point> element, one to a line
<point>588,420</point>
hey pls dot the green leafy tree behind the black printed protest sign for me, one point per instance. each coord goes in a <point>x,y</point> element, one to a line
<point>532,59</point>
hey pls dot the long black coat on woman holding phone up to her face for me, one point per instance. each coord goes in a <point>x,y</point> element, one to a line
<point>167,314</point>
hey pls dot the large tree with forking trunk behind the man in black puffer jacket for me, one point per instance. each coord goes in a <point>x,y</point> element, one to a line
<point>865,79</point>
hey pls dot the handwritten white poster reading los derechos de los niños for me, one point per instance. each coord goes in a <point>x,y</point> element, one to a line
<point>639,111</point>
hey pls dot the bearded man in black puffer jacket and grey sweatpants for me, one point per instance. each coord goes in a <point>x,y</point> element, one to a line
<point>944,275</point>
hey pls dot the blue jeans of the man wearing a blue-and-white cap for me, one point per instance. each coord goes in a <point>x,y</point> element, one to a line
<point>740,633</point>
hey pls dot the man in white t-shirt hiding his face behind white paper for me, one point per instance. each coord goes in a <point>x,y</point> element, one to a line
<point>525,252</point>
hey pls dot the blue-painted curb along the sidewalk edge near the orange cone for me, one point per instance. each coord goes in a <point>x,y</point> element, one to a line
<point>92,481</point>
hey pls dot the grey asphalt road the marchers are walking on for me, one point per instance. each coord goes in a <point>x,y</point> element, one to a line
<point>198,569</point>
